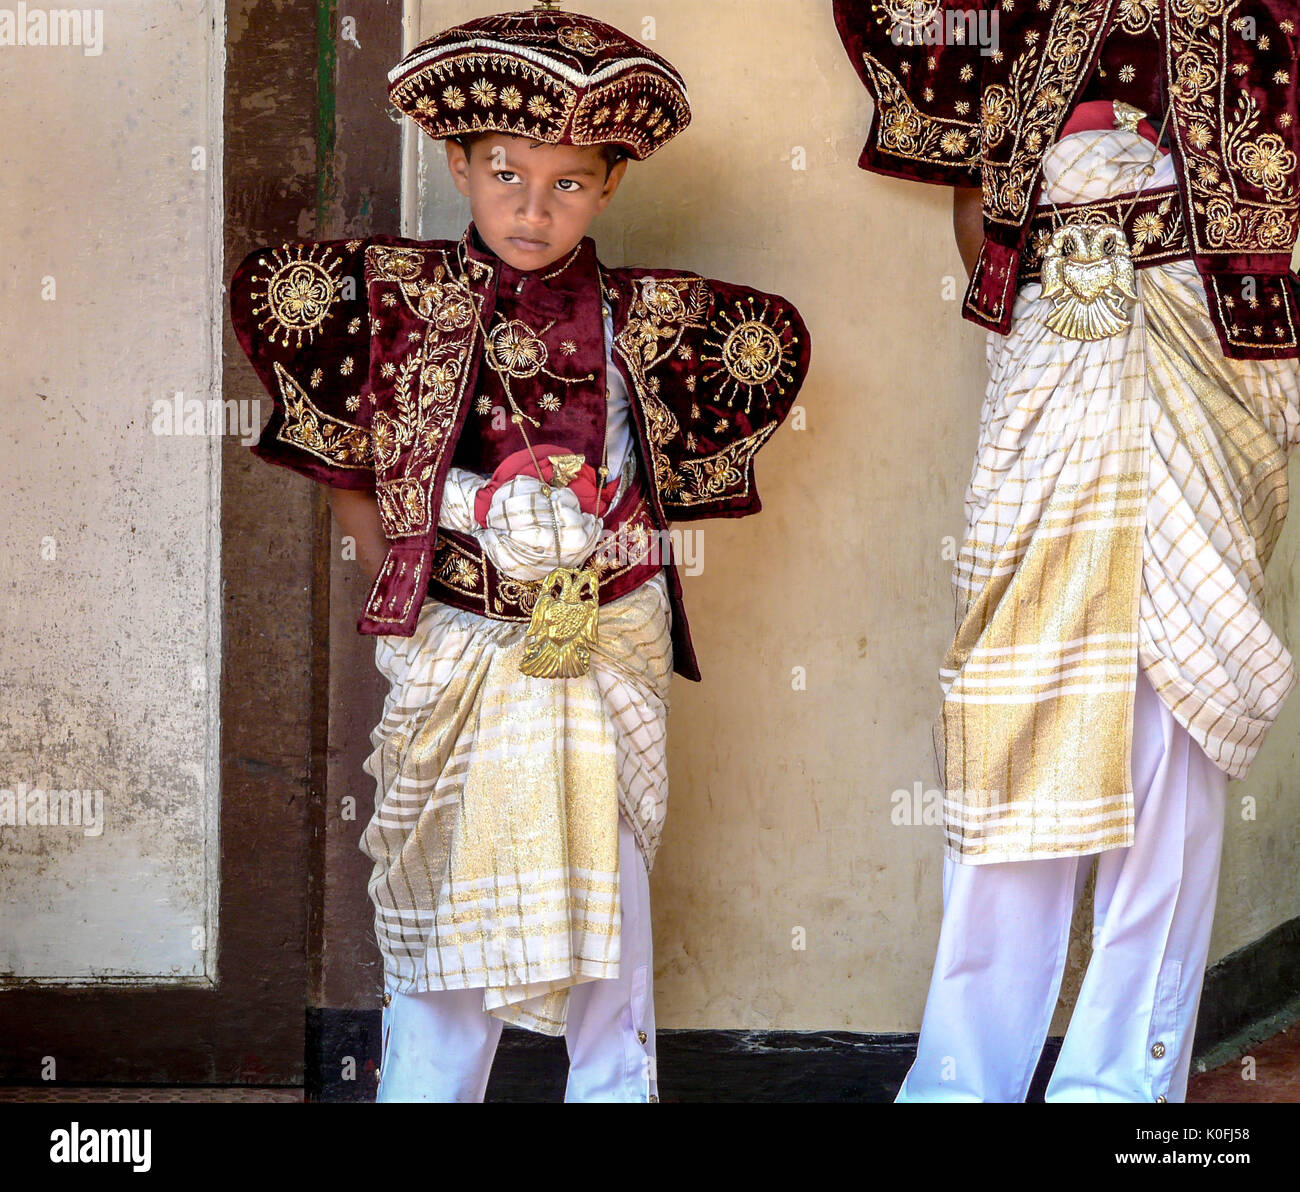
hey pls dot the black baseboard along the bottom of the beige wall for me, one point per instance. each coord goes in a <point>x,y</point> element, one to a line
<point>765,1067</point>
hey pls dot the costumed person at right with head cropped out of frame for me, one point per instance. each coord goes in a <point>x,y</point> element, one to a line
<point>1112,666</point>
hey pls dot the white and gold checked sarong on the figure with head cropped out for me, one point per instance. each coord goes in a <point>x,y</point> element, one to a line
<point>1125,500</point>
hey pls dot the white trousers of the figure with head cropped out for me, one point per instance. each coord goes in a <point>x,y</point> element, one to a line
<point>1007,929</point>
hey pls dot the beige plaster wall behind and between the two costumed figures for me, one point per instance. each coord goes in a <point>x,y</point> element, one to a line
<point>781,809</point>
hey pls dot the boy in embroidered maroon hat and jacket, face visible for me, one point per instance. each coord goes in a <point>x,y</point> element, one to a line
<point>508,427</point>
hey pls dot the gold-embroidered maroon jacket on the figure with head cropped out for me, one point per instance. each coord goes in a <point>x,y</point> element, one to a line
<point>951,115</point>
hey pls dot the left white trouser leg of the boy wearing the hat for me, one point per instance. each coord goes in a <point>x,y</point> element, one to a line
<point>439,1046</point>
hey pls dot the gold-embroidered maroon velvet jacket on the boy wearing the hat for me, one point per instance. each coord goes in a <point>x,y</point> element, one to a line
<point>372,352</point>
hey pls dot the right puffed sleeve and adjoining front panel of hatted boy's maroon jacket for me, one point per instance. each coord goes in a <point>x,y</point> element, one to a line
<point>718,369</point>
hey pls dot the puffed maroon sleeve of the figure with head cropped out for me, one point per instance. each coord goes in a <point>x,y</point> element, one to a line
<point>921,66</point>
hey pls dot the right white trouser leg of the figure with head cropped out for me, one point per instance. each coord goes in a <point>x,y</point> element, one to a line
<point>1130,1037</point>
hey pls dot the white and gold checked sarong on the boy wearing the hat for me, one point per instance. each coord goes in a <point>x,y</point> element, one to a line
<point>495,835</point>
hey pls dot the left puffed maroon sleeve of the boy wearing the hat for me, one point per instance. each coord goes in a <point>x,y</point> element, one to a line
<point>301,314</point>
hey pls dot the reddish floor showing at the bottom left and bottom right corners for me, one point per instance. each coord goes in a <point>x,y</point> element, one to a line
<point>1273,1077</point>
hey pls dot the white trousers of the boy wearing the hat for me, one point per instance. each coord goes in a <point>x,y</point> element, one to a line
<point>440,1046</point>
